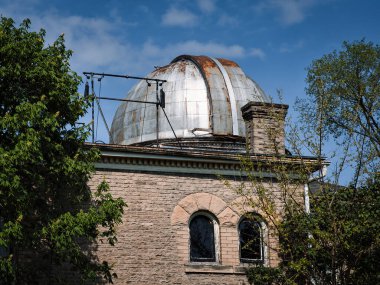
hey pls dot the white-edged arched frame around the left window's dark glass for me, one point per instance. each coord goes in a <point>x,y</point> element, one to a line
<point>215,222</point>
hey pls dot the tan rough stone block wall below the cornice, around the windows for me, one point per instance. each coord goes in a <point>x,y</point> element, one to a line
<point>152,245</point>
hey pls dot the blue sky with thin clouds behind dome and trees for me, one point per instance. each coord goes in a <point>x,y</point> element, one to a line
<point>272,40</point>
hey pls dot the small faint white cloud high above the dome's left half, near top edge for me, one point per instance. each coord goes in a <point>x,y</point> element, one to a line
<point>179,17</point>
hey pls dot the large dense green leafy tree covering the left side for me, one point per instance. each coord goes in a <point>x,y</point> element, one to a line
<point>49,218</point>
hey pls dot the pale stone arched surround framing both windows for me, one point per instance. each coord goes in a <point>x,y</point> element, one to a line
<point>228,217</point>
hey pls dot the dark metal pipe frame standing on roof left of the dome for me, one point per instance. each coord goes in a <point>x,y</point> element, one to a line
<point>160,97</point>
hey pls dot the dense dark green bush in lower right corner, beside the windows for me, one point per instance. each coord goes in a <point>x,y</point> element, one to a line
<point>339,242</point>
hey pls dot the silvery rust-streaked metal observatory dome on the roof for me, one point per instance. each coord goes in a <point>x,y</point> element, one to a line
<point>203,99</point>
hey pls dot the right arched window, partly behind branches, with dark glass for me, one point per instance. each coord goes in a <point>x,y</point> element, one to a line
<point>251,240</point>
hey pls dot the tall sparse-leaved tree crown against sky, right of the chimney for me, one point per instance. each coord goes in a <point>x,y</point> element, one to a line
<point>343,104</point>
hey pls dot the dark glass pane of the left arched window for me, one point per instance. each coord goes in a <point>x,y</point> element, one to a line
<point>202,247</point>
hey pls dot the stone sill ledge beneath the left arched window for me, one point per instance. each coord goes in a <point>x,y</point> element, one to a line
<point>213,269</point>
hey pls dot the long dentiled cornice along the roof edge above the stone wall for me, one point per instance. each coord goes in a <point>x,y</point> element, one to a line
<point>159,160</point>
